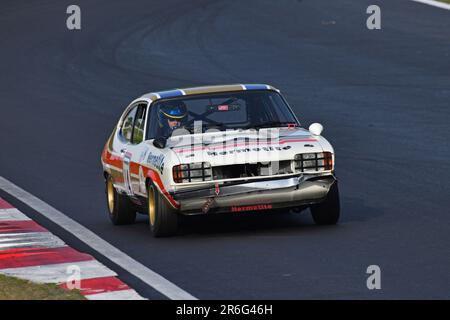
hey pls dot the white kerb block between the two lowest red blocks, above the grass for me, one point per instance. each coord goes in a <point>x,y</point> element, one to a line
<point>57,273</point>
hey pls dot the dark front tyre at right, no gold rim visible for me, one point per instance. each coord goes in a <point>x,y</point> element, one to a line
<point>327,212</point>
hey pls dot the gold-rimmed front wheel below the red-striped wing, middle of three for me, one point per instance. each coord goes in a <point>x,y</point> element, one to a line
<point>163,218</point>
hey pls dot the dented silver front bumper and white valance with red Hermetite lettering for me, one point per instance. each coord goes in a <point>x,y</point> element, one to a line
<point>294,191</point>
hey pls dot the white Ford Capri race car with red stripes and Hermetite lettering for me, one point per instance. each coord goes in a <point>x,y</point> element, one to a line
<point>217,149</point>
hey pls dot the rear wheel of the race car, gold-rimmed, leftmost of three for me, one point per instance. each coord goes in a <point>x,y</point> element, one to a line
<point>121,210</point>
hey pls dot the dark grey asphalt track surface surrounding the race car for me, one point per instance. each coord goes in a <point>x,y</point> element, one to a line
<point>383,97</point>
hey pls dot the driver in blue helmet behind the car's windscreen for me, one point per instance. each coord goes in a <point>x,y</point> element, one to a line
<point>171,116</point>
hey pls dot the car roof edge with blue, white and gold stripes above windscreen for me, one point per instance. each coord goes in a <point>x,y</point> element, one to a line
<point>205,89</point>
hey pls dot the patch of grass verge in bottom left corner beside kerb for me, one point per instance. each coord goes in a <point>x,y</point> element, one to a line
<point>18,289</point>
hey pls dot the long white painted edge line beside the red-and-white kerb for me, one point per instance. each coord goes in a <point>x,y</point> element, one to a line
<point>134,267</point>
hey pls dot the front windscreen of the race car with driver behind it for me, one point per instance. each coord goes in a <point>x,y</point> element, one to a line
<point>222,111</point>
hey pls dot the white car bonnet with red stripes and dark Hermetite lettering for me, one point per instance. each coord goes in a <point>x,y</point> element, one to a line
<point>244,146</point>
